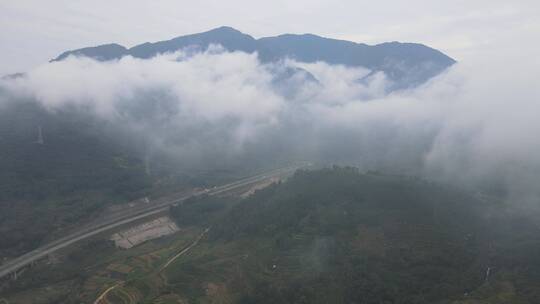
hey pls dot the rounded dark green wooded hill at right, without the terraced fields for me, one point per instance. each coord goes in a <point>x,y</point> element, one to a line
<point>340,236</point>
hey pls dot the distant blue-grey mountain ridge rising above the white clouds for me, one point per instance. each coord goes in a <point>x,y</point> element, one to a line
<point>406,64</point>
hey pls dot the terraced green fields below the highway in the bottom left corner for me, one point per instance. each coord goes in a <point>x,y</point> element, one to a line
<point>85,270</point>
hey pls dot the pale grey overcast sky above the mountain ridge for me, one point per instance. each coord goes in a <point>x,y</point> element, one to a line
<point>32,32</point>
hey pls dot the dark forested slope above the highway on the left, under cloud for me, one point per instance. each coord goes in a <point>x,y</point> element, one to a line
<point>84,164</point>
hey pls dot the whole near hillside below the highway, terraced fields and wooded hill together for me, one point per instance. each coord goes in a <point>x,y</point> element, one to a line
<point>333,235</point>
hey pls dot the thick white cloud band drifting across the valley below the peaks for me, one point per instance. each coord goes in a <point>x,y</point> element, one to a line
<point>475,124</point>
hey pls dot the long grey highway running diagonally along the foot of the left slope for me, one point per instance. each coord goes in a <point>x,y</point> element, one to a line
<point>131,216</point>
